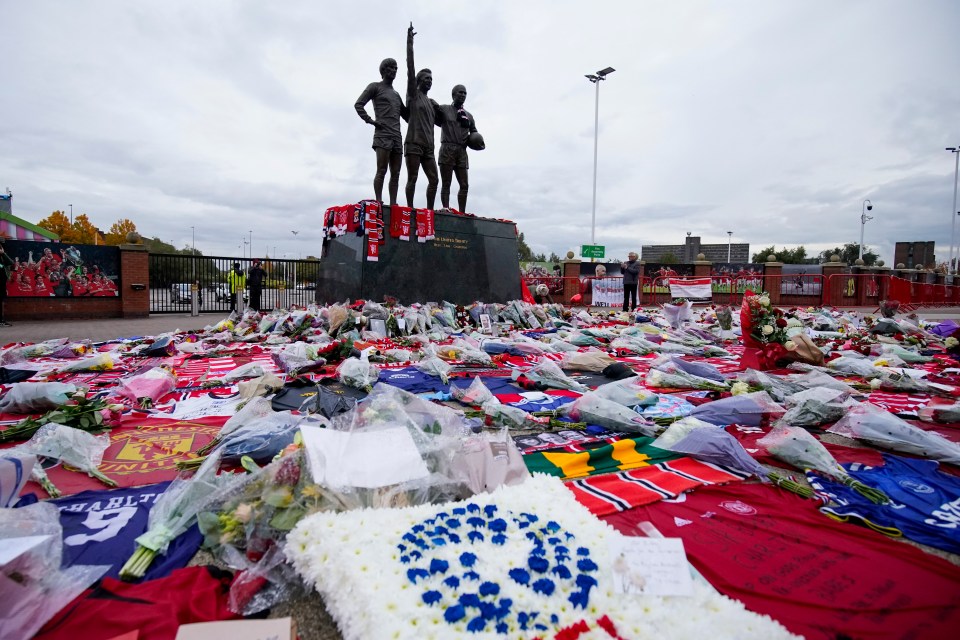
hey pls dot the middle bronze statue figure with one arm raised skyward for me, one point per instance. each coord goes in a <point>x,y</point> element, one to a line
<point>423,113</point>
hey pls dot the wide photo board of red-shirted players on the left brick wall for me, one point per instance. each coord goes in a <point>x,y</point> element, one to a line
<point>47,269</point>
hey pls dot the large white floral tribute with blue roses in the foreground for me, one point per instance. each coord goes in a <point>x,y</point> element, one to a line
<point>525,561</point>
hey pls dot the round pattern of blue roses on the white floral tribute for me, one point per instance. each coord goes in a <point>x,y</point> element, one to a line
<point>555,564</point>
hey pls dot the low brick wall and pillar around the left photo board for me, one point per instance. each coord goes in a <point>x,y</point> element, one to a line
<point>134,268</point>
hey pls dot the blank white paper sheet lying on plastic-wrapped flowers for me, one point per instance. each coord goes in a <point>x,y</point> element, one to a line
<point>366,459</point>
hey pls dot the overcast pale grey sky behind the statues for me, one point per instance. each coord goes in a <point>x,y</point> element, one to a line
<point>773,120</point>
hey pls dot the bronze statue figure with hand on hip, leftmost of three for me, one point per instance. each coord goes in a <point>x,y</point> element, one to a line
<point>387,141</point>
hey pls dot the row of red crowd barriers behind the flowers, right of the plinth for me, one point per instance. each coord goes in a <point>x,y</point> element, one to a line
<point>837,290</point>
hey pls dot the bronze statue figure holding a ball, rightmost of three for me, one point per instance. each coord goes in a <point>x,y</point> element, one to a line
<point>456,126</point>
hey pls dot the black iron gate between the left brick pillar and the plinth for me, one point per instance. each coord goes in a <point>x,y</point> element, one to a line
<point>288,282</point>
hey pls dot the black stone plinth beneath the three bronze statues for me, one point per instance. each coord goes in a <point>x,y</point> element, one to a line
<point>469,259</point>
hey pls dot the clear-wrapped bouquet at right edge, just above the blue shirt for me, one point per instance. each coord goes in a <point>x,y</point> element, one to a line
<point>875,426</point>
